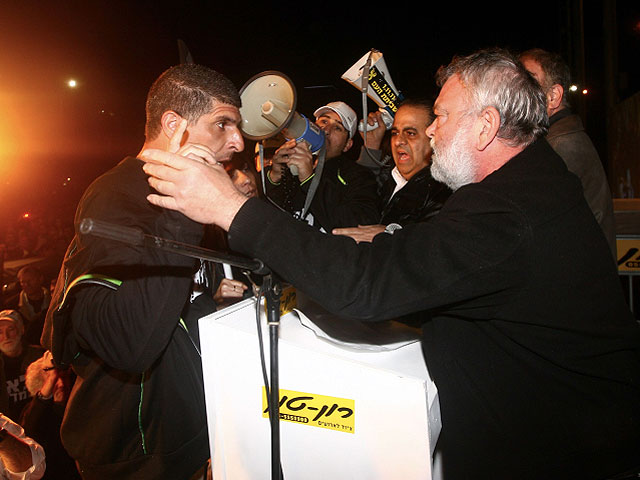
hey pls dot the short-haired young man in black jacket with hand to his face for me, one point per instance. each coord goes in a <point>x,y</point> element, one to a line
<point>121,315</point>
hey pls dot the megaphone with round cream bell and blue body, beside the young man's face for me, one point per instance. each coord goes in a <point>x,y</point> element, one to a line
<point>269,107</point>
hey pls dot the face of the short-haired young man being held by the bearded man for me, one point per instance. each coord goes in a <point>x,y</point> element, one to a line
<point>218,130</point>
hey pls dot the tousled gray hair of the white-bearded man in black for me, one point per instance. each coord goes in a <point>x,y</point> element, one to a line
<point>495,78</point>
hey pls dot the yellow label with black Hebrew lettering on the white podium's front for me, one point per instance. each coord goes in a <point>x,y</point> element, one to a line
<point>314,410</point>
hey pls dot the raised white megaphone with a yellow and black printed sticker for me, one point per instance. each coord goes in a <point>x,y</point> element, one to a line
<point>376,84</point>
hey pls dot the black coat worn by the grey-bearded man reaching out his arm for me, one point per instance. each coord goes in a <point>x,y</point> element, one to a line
<point>531,344</point>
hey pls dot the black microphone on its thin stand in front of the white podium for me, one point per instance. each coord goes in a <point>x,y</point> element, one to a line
<point>273,292</point>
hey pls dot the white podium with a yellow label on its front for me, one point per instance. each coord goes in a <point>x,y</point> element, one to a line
<point>349,409</point>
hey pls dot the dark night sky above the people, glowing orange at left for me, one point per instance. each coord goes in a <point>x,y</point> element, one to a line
<point>115,49</point>
